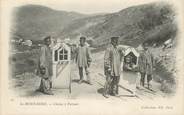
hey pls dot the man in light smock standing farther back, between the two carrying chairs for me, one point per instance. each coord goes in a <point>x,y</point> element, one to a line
<point>83,59</point>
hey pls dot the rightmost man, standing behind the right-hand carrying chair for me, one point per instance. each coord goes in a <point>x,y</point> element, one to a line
<point>146,63</point>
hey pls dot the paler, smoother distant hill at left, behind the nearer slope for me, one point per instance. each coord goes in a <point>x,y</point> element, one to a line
<point>35,21</point>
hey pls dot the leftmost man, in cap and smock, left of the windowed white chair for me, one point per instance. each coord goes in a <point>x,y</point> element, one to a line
<point>45,67</point>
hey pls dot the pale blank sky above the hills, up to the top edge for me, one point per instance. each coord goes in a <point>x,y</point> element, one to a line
<point>85,6</point>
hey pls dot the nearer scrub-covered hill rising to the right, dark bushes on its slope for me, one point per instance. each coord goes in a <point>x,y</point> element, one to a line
<point>134,25</point>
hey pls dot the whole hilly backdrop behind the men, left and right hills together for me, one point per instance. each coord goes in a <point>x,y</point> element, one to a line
<point>153,22</point>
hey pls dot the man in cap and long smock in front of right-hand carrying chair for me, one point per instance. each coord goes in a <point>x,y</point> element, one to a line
<point>112,67</point>
